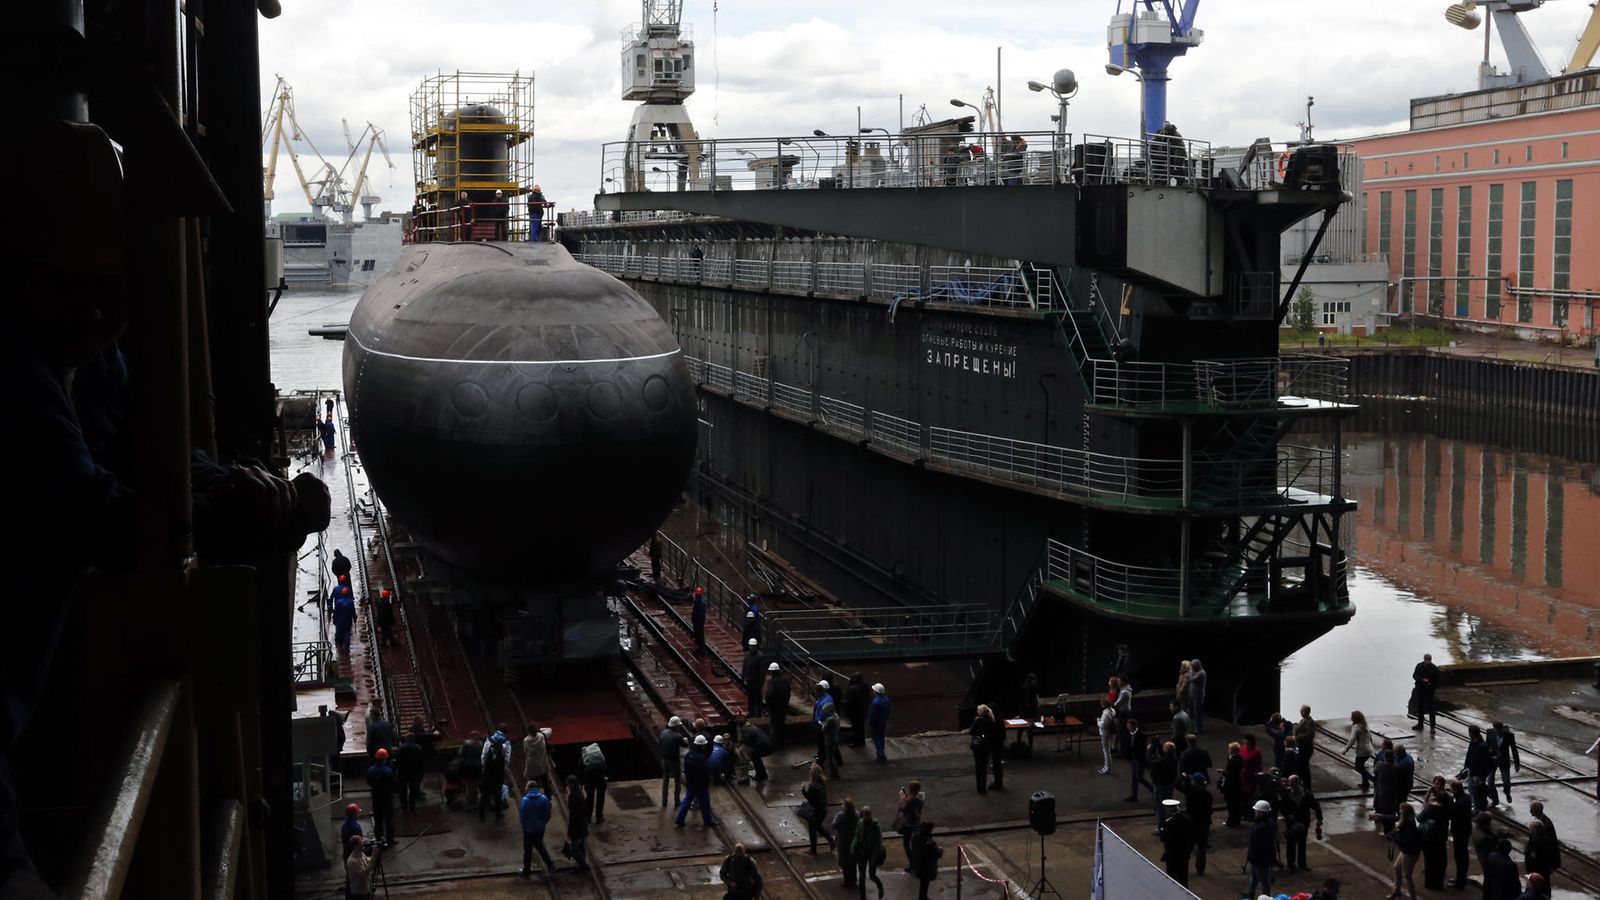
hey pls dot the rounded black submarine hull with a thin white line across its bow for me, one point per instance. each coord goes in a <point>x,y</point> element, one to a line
<point>522,414</point>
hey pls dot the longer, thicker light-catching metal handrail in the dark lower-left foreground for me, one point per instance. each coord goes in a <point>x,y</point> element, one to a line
<point>119,814</point>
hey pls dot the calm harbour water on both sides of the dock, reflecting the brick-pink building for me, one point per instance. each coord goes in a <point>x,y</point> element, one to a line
<point>1465,550</point>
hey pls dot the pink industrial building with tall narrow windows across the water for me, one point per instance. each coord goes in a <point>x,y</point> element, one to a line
<point>1489,207</point>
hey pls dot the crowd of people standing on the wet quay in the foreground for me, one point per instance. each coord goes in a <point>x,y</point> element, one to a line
<point>1444,827</point>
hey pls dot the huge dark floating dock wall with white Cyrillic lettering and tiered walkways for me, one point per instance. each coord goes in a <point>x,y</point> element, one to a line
<point>1084,438</point>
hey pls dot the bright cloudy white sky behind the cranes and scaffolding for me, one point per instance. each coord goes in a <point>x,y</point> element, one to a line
<point>769,68</point>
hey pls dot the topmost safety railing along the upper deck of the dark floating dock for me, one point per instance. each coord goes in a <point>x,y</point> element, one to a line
<point>919,159</point>
